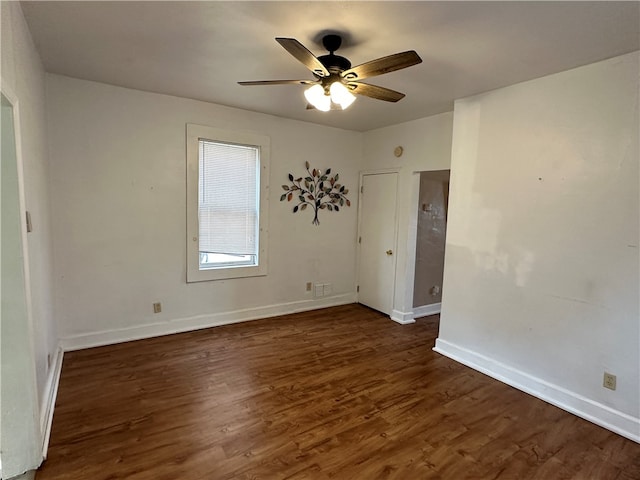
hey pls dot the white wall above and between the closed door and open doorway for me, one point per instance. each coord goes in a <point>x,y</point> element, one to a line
<point>426,146</point>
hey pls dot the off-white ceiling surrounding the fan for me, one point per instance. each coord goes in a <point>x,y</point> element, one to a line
<point>200,50</point>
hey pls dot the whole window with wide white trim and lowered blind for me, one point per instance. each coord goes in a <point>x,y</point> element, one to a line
<point>227,176</point>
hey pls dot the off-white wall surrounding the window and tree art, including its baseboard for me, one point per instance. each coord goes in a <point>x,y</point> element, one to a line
<point>118,190</point>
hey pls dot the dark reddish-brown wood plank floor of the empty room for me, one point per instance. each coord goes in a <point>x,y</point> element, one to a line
<point>339,393</point>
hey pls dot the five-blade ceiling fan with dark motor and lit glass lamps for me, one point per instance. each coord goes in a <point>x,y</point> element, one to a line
<point>336,80</point>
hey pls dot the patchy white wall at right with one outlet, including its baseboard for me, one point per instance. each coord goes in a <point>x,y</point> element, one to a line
<point>541,269</point>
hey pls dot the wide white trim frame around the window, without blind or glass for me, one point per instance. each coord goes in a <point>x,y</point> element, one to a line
<point>194,134</point>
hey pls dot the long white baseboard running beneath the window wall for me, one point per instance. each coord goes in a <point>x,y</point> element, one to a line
<point>178,325</point>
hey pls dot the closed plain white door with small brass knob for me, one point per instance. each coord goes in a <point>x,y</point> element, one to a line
<point>377,237</point>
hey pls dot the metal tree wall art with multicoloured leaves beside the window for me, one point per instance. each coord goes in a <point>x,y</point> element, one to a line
<point>319,190</point>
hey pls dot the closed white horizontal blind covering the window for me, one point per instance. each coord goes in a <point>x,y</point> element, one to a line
<point>228,200</point>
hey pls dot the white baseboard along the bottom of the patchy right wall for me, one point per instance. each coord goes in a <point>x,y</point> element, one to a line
<point>572,402</point>
